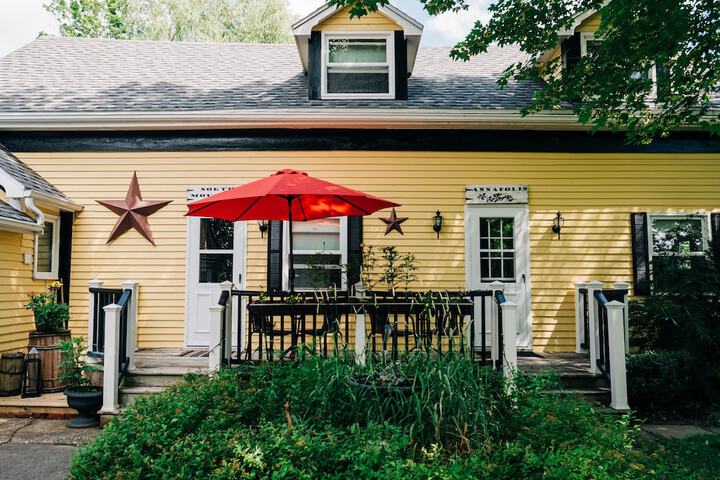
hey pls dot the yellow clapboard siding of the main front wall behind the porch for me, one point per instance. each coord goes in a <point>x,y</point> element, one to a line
<point>594,192</point>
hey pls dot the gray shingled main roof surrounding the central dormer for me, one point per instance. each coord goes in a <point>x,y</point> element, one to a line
<point>98,75</point>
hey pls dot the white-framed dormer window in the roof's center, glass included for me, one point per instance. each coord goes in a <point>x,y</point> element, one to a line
<point>358,66</point>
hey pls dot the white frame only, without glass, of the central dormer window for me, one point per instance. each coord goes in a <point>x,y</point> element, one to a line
<point>388,36</point>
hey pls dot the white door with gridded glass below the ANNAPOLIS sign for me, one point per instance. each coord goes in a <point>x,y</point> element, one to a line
<point>497,247</point>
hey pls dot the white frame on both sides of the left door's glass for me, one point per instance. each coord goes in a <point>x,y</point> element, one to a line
<point>192,270</point>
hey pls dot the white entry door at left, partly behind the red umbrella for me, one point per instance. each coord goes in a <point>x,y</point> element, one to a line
<point>216,253</point>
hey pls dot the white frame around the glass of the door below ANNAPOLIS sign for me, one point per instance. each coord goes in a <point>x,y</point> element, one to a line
<point>522,254</point>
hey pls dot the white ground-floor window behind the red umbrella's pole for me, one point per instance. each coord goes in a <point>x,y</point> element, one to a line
<point>319,252</point>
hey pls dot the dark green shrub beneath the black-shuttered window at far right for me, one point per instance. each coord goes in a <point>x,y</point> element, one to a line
<point>677,332</point>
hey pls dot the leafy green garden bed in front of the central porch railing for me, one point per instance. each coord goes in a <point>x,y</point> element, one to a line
<point>234,425</point>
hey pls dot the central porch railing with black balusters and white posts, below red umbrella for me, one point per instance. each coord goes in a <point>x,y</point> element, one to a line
<point>482,309</point>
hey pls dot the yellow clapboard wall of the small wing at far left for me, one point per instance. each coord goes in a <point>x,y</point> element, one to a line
<point>16,279</point>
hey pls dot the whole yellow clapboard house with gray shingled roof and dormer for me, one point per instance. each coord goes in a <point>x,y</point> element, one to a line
<point>357,102</point>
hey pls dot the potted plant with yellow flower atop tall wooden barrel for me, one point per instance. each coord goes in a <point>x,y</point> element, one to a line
<point>51,320</point>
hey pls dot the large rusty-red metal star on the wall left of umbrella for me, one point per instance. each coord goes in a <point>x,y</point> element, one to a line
<point>133,212</point>
